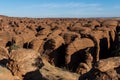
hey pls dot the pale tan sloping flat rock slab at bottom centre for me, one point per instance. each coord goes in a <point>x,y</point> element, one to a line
<point>54,73</point>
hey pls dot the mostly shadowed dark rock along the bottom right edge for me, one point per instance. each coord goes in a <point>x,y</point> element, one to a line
<point>109,75</point>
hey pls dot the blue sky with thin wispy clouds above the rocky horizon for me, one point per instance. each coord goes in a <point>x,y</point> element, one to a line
<point>60,8</point>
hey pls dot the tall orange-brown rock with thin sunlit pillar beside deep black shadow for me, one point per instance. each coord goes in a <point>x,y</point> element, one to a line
<point>99,37</point>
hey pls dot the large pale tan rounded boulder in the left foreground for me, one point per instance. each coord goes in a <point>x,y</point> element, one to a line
<point>23,61</point>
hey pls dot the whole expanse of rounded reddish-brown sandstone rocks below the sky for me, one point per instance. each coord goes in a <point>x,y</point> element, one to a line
<point>83,46</point>
